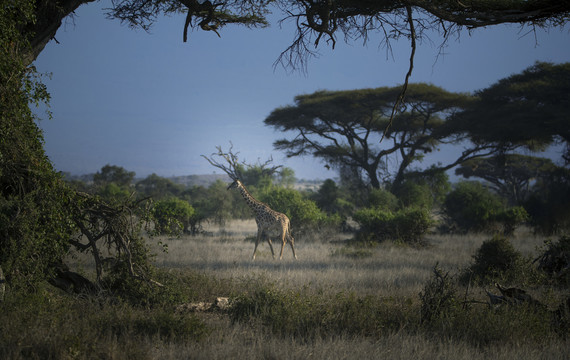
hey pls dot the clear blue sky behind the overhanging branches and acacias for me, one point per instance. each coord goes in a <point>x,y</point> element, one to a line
<point>153,104</point>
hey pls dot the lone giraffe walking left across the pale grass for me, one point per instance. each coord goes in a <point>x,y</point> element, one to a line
<point>268,221</point>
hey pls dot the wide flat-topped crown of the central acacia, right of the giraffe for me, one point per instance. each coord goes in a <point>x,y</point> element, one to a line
<point>344,128</point>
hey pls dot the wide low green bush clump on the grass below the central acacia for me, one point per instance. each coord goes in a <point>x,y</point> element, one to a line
<point>408,225</point>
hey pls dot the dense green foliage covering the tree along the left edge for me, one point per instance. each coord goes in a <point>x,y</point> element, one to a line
<point>33,198</point>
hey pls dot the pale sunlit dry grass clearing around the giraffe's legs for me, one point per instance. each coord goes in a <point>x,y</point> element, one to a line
<point>390,270</point>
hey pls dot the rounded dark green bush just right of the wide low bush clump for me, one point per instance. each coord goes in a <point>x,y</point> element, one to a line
<point>471,207</point>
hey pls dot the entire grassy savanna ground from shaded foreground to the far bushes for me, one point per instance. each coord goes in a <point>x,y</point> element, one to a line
<point>335,302</point>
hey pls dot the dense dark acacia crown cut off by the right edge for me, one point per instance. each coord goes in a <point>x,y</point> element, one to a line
<point>529,109</point>
